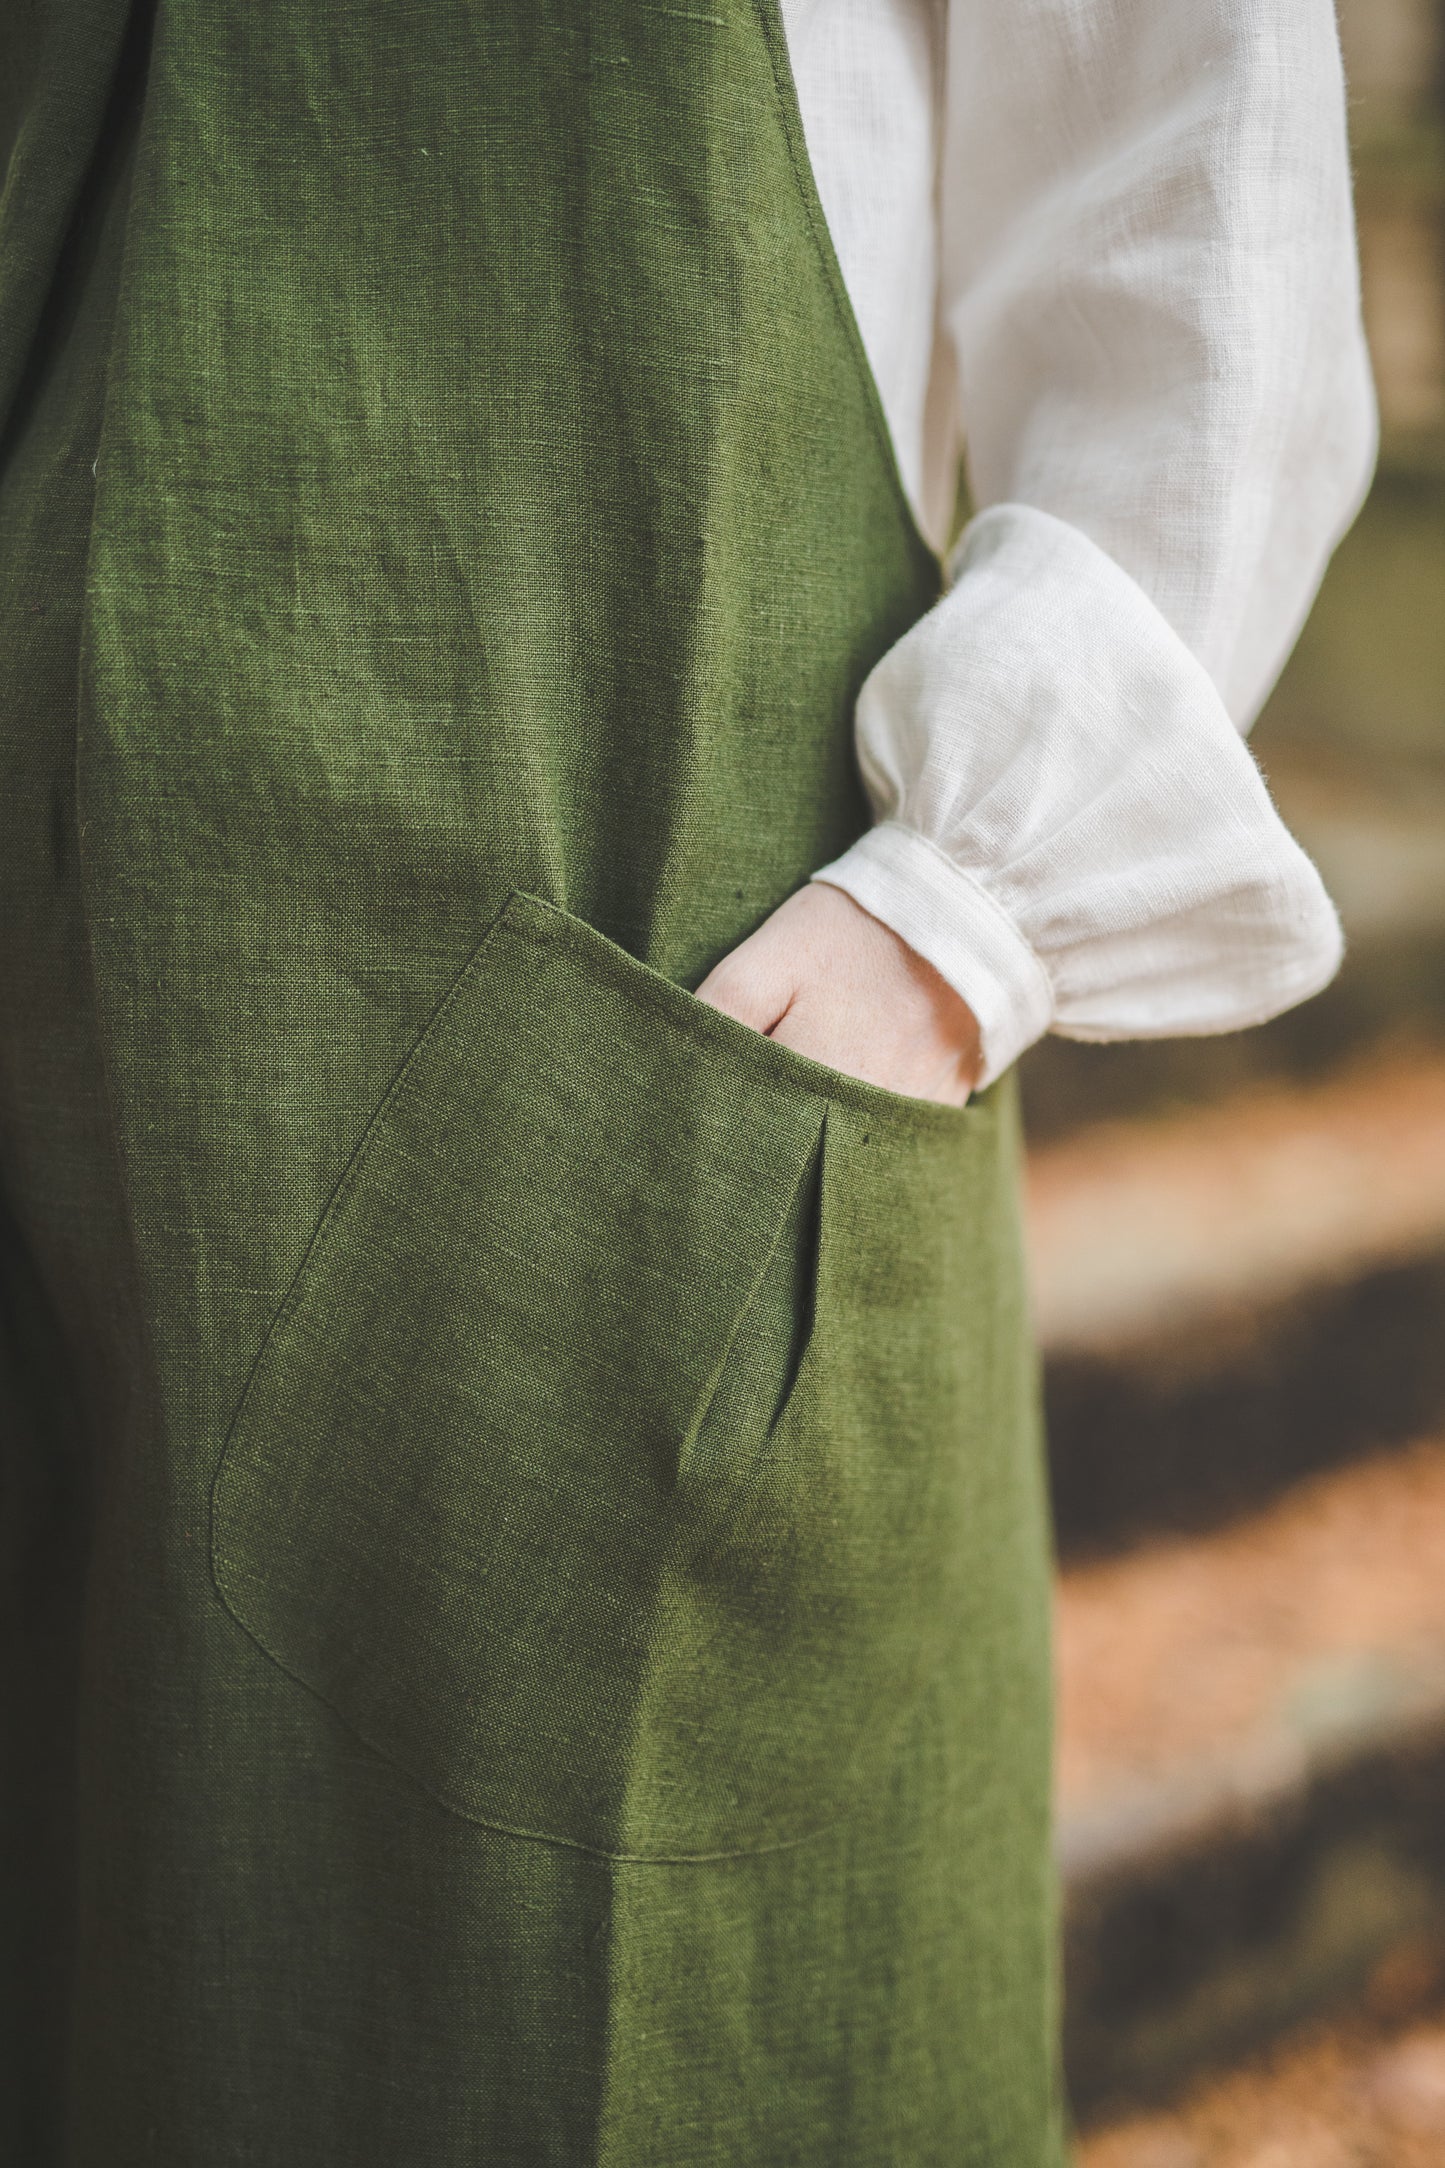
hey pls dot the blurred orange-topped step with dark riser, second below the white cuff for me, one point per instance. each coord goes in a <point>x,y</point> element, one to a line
<point>1251,1772</point>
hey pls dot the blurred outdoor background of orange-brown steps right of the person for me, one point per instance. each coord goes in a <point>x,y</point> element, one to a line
<point>1240,1280</point>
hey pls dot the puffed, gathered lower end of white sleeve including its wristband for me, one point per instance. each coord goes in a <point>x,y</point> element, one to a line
<point>1071,827</point>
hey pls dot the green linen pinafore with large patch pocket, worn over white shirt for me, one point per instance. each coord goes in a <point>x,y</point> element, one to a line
<point>523,1560</point>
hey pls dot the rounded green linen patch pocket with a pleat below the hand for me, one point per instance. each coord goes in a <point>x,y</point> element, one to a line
<point>584,1471</point>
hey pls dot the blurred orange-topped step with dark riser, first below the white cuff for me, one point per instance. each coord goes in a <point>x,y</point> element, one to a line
<point>1238,1295</point>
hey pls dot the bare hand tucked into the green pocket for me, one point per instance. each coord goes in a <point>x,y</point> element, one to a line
<point>831,981</point>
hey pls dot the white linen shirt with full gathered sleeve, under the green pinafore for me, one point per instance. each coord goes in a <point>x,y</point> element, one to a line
<point>1110,246</point>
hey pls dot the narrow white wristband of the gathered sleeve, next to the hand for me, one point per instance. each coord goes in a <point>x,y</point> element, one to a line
<point>952,922</point>
